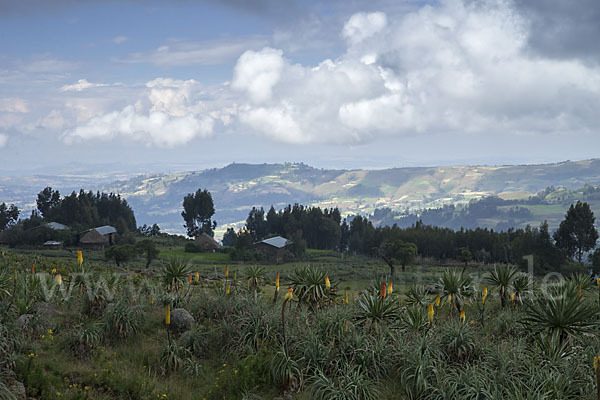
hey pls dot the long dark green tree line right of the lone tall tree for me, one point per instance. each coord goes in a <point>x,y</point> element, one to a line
<point>326,229</point>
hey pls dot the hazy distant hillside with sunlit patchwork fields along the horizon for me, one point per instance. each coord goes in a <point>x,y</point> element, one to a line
<point>236,188</point>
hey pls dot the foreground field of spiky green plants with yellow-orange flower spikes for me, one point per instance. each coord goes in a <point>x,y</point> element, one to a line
<point>82,331</point>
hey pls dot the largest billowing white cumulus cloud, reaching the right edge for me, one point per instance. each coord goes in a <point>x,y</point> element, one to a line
<point>457,67</point>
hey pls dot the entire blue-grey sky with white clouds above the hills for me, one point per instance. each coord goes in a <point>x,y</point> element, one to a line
<point>186,84</point>
